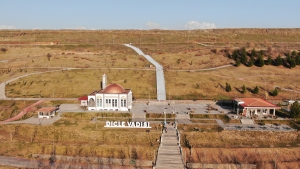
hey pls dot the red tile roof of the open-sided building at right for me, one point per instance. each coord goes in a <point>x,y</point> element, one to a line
<point>255,102</point>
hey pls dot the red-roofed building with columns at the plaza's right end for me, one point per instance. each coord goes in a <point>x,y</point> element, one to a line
<point>254,106</point>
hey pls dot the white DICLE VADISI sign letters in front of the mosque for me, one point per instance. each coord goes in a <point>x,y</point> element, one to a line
<point>124,124</point>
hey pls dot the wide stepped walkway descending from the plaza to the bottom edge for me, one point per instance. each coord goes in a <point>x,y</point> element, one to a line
<point>169,152</point>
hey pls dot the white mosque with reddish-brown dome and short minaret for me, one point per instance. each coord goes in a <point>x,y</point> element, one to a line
<point>111,97</point>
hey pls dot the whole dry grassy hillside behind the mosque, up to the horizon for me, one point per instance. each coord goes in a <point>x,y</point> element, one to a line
<point>182,53</point>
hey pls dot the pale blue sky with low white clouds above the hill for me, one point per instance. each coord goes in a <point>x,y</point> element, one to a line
<point>148,14</point>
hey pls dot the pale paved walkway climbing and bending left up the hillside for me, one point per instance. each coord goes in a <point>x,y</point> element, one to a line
<point>160,79</point>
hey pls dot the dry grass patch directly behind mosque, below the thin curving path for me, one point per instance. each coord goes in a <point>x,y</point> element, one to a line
<point>76,83</point>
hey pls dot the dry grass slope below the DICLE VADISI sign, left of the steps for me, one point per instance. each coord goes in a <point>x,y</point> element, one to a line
<point>77,137</point>
